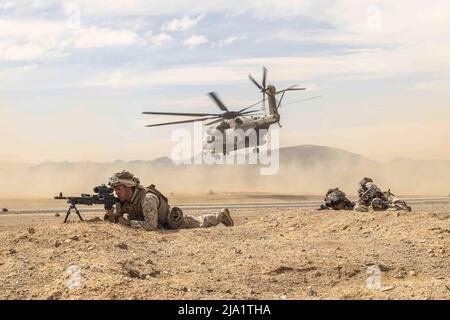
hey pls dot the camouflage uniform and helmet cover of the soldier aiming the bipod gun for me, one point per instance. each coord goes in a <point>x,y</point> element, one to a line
<point>148,211</point>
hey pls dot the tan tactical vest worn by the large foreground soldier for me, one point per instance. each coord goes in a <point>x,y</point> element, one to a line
<point>134,208</point>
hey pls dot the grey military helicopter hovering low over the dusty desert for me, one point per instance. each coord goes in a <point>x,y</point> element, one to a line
<point>244,119</point>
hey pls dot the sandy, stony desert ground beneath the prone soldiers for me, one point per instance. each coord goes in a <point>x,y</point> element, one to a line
<point>270,253</point>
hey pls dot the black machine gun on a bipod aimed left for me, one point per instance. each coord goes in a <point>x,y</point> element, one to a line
<point>104,195</point>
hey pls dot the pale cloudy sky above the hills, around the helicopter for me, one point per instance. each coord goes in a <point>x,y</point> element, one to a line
<point>76,75</point>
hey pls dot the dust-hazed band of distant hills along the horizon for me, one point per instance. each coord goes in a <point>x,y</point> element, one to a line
<point>304,169</point>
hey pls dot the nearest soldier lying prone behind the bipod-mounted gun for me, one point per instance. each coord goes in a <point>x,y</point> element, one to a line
<point>147,208</point>
